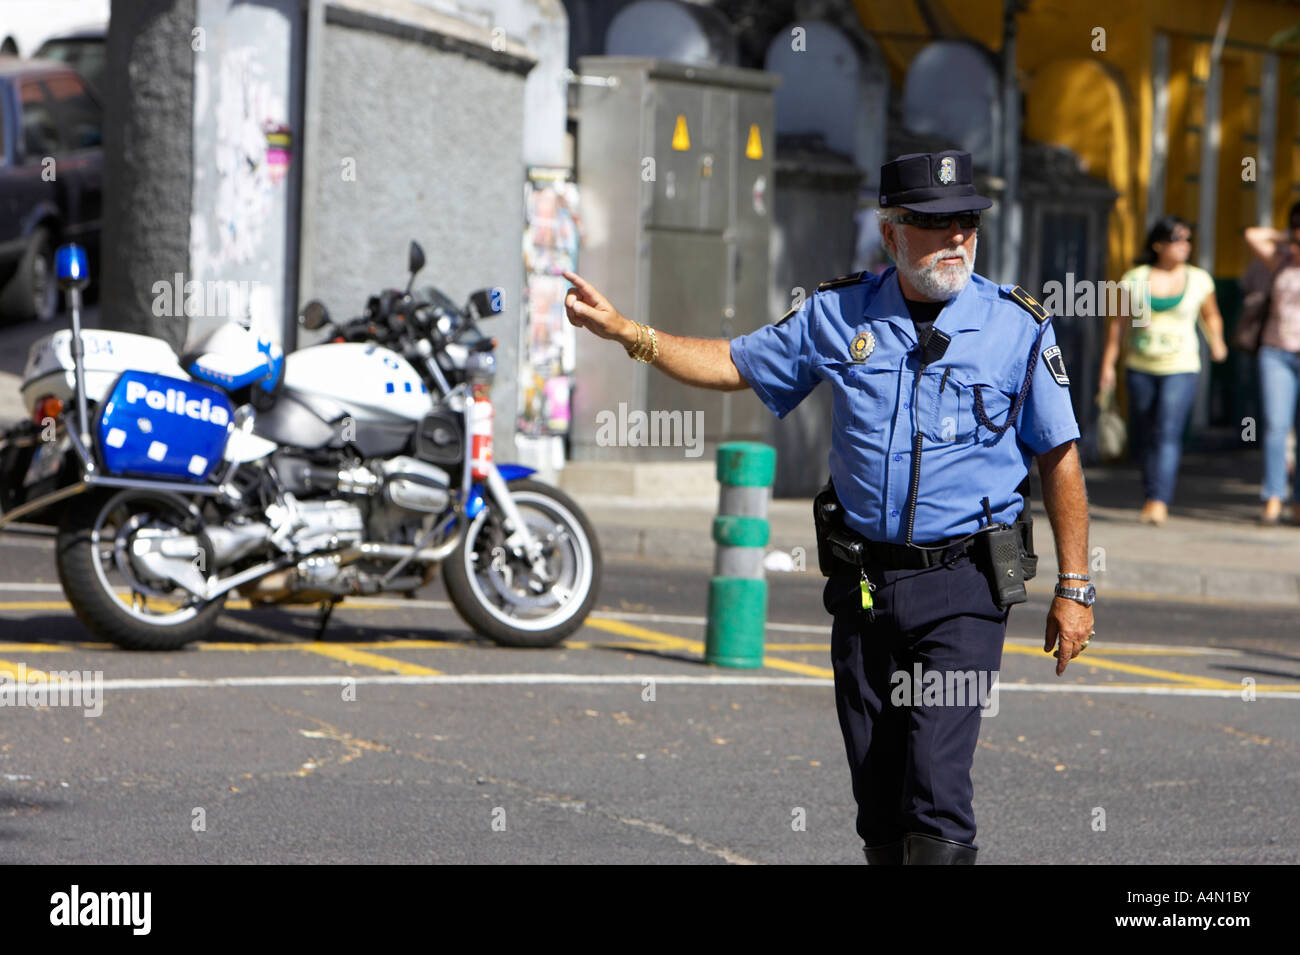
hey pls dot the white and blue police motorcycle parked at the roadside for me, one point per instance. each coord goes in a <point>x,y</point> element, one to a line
<point>354,467</point>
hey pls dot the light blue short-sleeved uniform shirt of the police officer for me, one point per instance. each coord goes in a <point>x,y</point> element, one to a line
<point>879,405</point>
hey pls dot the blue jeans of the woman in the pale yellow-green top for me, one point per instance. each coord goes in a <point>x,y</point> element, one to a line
<point>1159,406</point>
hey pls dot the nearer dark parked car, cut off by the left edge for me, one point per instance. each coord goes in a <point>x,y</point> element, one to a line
<point>51,180</point>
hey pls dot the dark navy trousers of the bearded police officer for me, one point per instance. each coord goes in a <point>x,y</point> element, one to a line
<point>912,759</point>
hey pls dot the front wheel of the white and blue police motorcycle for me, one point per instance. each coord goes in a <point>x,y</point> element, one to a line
<point>501,596</point>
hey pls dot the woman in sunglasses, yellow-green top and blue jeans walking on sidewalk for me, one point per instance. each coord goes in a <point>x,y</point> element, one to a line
<point>1163,355</point>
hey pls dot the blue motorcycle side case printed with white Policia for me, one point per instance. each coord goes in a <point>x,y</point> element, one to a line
<point>163,428</point>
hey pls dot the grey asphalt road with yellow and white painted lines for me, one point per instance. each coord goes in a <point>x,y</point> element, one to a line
<point>452,750</point>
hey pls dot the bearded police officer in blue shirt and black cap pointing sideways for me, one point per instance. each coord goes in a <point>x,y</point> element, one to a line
<point>946,387</point>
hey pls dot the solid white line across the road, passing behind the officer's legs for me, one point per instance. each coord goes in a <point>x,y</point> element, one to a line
<point>632,679</point>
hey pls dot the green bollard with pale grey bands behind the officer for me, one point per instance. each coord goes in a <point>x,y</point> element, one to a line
<point>738,594</point>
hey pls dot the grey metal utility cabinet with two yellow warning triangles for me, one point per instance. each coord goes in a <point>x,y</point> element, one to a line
<point>675,166</point>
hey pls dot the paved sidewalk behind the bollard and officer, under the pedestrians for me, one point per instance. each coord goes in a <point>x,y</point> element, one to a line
<point>1211,546</point>
